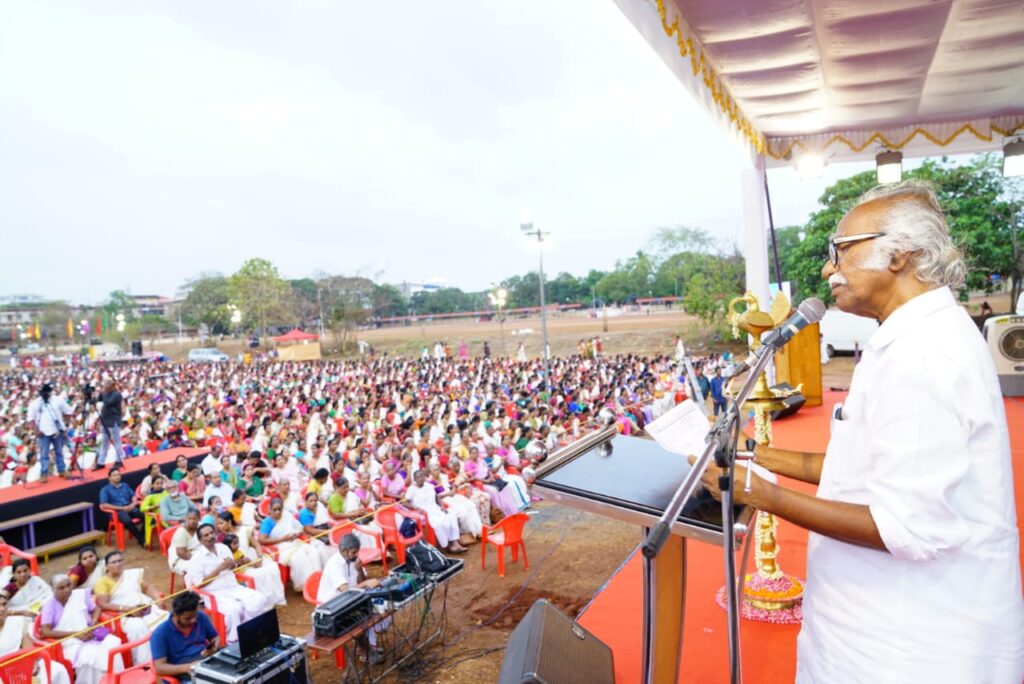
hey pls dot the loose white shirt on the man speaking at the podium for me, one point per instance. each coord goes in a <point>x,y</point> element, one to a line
<point>923,442</point>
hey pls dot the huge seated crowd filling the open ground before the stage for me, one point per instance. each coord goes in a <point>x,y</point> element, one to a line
<point>295,450</point>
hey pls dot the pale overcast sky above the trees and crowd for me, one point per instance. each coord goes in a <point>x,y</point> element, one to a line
<point>145,143</point>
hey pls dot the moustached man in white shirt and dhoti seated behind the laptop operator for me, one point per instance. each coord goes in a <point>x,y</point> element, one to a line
<point>212,569</point>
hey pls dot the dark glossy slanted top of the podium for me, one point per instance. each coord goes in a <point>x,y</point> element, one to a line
<point>633,480</point>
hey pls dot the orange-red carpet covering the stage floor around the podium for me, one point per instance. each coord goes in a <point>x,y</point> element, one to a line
<point>770,652</point>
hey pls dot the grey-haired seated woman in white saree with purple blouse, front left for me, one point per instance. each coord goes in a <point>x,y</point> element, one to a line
<point>73,614</point>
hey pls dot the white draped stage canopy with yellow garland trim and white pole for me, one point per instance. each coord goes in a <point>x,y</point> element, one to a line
<point>844,79</point>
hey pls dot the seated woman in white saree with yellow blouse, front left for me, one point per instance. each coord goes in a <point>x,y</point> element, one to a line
<point>125,591</point>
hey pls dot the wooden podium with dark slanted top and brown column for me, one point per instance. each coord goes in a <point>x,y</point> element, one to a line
<point>632,480</point>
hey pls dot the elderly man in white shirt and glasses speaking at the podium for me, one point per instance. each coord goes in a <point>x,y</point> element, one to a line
<point>913,567</point>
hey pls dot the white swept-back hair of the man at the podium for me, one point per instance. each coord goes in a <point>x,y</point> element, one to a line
<point>914,223</point>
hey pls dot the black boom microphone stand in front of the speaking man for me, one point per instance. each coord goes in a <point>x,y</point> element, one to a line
<point>722,442</point>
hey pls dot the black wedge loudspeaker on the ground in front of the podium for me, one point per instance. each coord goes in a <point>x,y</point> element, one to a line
<point>548,648</point>
